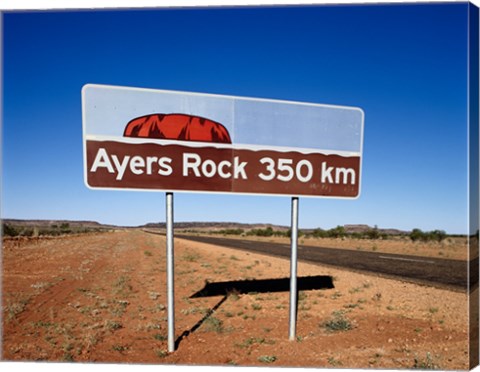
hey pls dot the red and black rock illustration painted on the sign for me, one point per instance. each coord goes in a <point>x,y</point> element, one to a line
<point>180,127</point>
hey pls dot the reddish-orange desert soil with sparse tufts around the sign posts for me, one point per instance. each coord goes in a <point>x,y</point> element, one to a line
<point>102,298</point>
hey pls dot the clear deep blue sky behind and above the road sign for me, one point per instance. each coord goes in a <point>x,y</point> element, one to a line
<point>404,65</point>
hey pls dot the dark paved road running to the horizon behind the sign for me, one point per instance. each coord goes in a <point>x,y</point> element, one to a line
<point>452,274</point>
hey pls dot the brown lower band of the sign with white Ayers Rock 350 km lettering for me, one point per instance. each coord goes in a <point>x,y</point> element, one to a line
<point>174,166</point>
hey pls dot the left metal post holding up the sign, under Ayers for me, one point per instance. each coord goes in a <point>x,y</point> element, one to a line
<point>170,269</point>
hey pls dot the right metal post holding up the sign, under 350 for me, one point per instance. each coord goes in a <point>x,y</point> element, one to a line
<point>293,271</point>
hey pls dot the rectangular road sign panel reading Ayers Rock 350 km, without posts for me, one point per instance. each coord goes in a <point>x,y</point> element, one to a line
<point>142,139</point>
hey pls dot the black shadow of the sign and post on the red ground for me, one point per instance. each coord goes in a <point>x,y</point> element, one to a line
<point>224,289</point>
